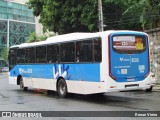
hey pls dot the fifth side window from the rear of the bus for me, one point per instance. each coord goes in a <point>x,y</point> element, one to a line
<point>41,54</point>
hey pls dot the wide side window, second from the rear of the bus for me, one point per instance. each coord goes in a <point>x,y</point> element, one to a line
<point>84,51</point>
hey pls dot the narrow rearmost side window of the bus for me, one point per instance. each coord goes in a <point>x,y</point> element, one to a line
<point>97,50</point>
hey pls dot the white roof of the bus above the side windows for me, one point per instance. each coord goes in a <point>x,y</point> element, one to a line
<point>65,38</point>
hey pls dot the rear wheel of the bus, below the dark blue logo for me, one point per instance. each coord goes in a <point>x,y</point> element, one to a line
<point>62,88</point>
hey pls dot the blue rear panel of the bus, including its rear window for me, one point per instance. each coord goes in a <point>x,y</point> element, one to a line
<point>129,57</point>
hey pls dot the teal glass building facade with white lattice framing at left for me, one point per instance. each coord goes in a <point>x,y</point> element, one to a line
<point>16,23</point>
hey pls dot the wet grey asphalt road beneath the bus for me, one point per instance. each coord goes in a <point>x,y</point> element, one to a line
<point>13,99</point>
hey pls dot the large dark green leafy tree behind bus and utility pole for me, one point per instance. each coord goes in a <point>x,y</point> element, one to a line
<point>82,15</point>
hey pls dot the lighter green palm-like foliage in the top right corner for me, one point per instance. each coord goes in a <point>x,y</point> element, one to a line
<point>146,11</point>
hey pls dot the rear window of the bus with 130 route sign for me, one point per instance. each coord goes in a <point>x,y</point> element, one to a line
<point>129,44</point>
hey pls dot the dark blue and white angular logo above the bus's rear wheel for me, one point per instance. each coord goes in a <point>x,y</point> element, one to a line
<point>61,70</point>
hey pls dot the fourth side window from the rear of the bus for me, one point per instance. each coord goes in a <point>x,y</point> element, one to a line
<point>53,53</point>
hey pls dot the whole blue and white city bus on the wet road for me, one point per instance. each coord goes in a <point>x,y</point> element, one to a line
<point>83,63</point>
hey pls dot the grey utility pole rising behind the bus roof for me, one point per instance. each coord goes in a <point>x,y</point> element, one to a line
<point>100,12</point>
